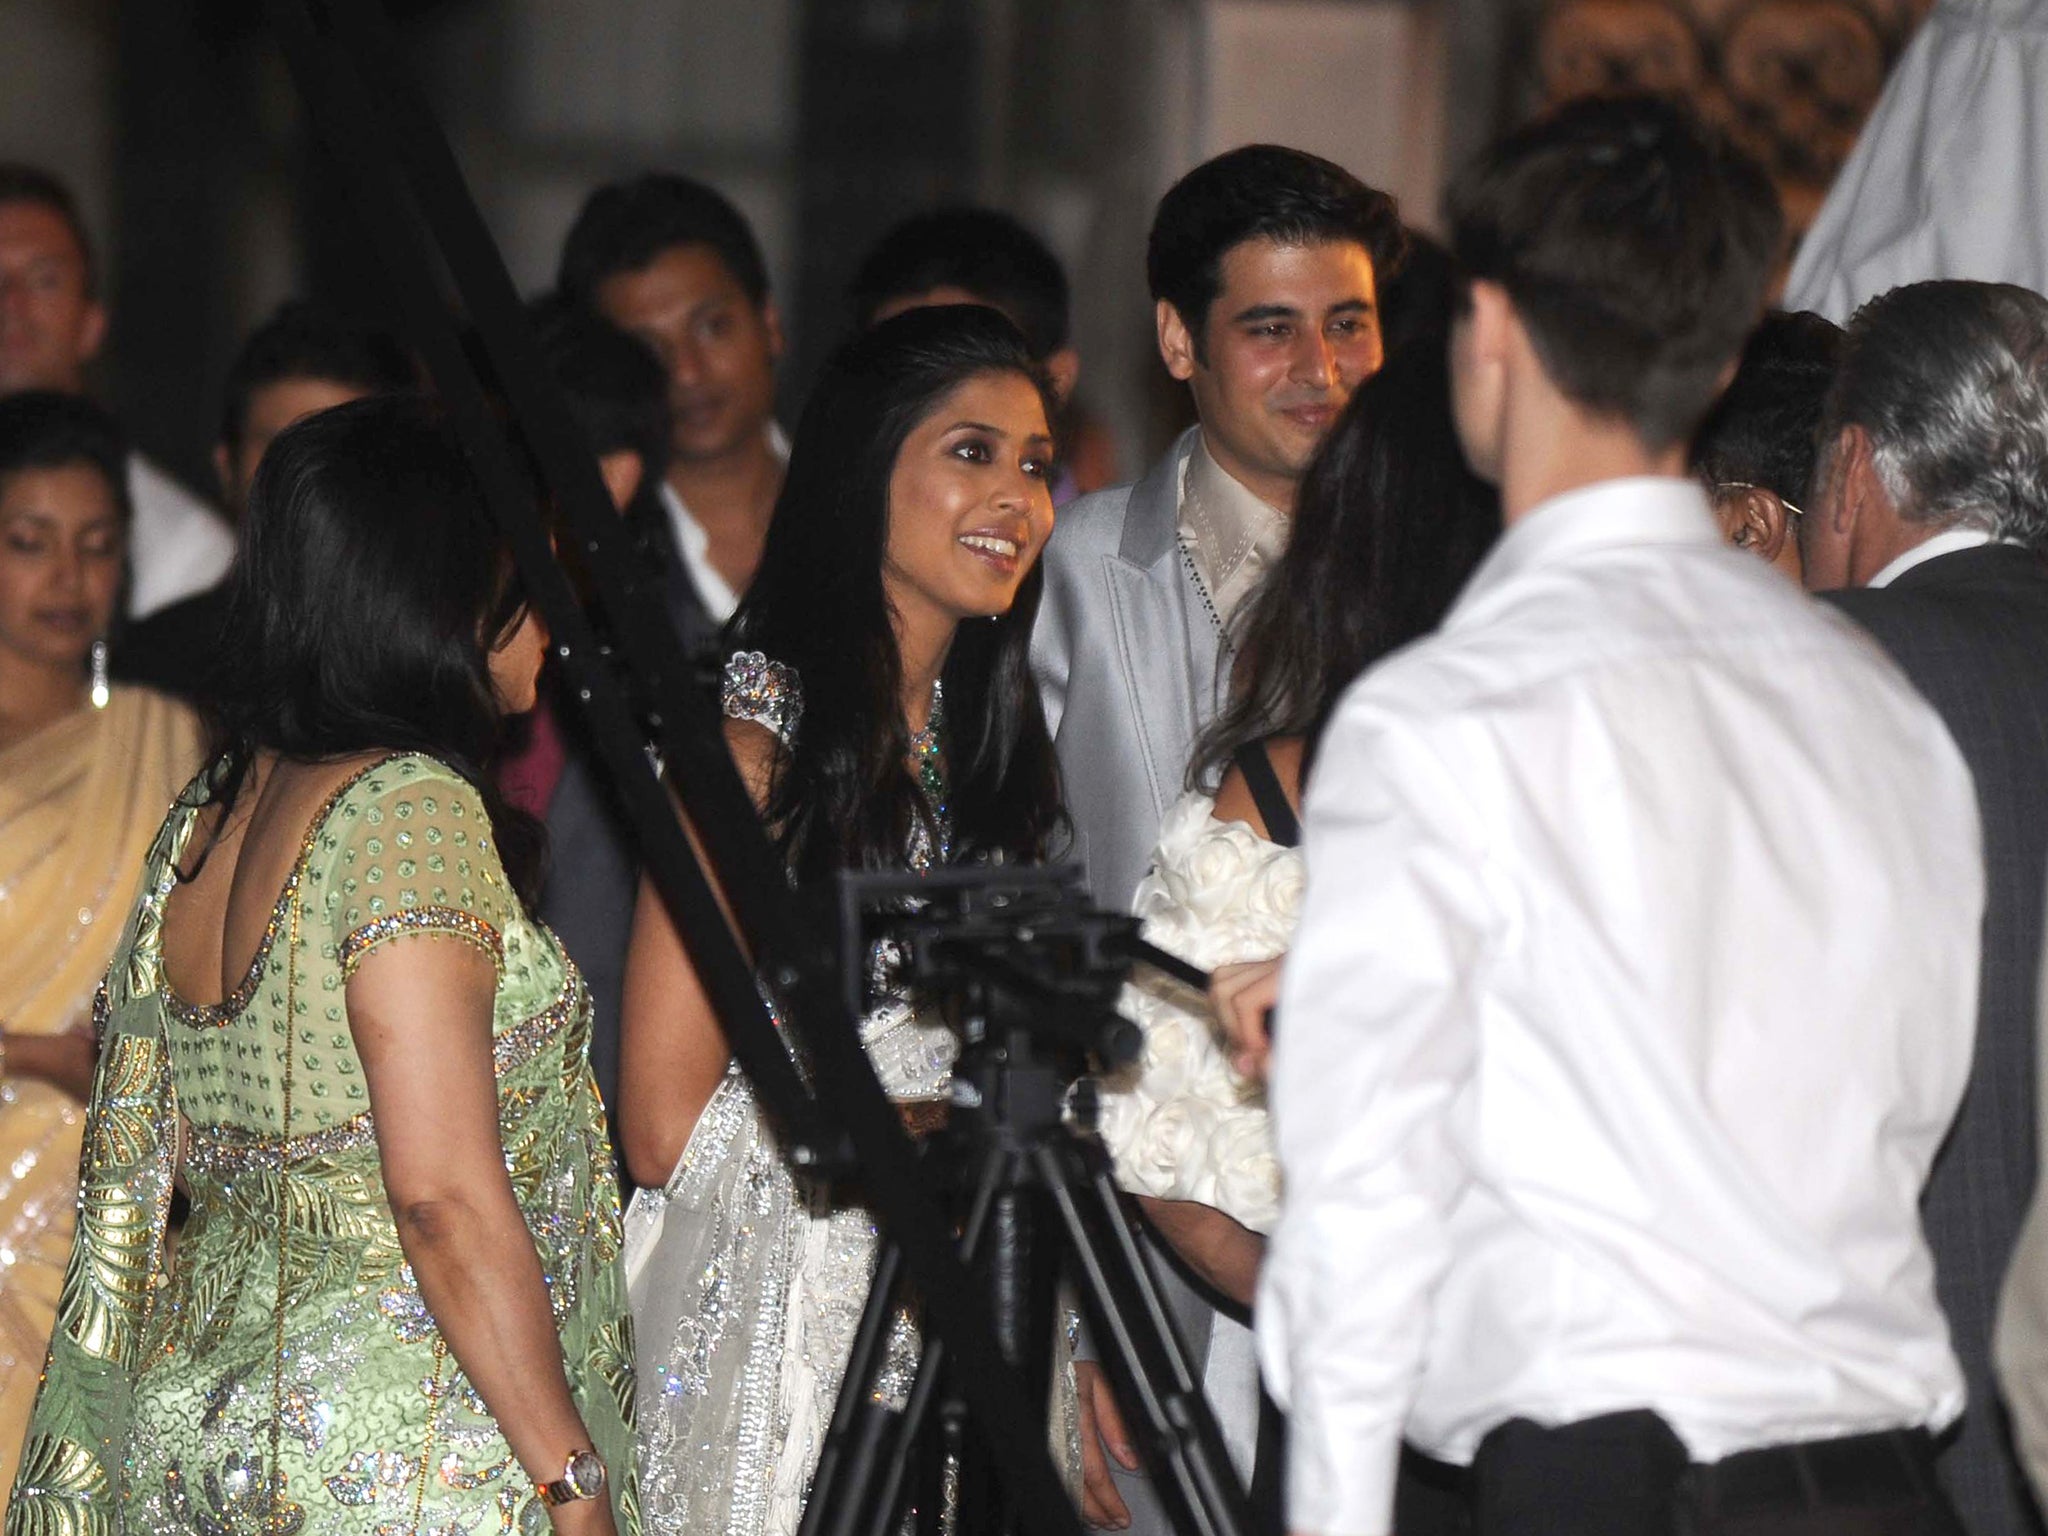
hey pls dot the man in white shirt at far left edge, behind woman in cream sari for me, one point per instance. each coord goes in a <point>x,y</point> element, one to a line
<point>52,325</point>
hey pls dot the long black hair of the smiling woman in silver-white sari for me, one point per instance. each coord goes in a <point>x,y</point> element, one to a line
<point>845,796</point>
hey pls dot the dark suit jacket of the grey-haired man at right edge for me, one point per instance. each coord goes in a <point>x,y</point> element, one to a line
<point>1971,630</point>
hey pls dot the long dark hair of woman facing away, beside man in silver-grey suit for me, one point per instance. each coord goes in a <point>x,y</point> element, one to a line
<point>1388,527</point>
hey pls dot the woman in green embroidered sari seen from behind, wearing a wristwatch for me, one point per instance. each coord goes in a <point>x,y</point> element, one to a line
<point>398,1304</point>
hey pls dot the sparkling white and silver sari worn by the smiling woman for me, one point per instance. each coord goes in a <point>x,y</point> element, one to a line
<point>746,1281</point>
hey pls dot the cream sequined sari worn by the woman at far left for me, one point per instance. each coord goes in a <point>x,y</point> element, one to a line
<point>79,808</point>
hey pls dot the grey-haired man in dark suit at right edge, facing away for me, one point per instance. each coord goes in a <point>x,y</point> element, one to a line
<point>1928,529</point>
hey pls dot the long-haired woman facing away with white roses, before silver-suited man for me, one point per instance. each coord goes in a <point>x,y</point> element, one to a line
<point>1388,529</point>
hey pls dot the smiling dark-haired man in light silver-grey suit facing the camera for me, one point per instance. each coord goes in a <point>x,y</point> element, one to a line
<point>1267,273</point>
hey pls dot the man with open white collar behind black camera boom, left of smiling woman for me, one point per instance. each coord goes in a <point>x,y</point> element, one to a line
<point>675,263</point>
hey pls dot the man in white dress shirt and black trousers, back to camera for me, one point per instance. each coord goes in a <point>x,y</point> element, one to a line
<point>1635,978</point>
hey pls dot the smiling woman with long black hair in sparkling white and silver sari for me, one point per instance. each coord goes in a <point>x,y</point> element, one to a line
<point>882,710</point>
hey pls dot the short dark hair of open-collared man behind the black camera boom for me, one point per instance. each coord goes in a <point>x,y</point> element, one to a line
<point>626,226</point>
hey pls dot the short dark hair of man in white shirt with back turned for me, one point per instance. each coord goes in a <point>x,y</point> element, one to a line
<point>1635,247</point>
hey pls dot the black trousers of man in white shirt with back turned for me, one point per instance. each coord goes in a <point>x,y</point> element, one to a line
<point>1629,1476</point>
